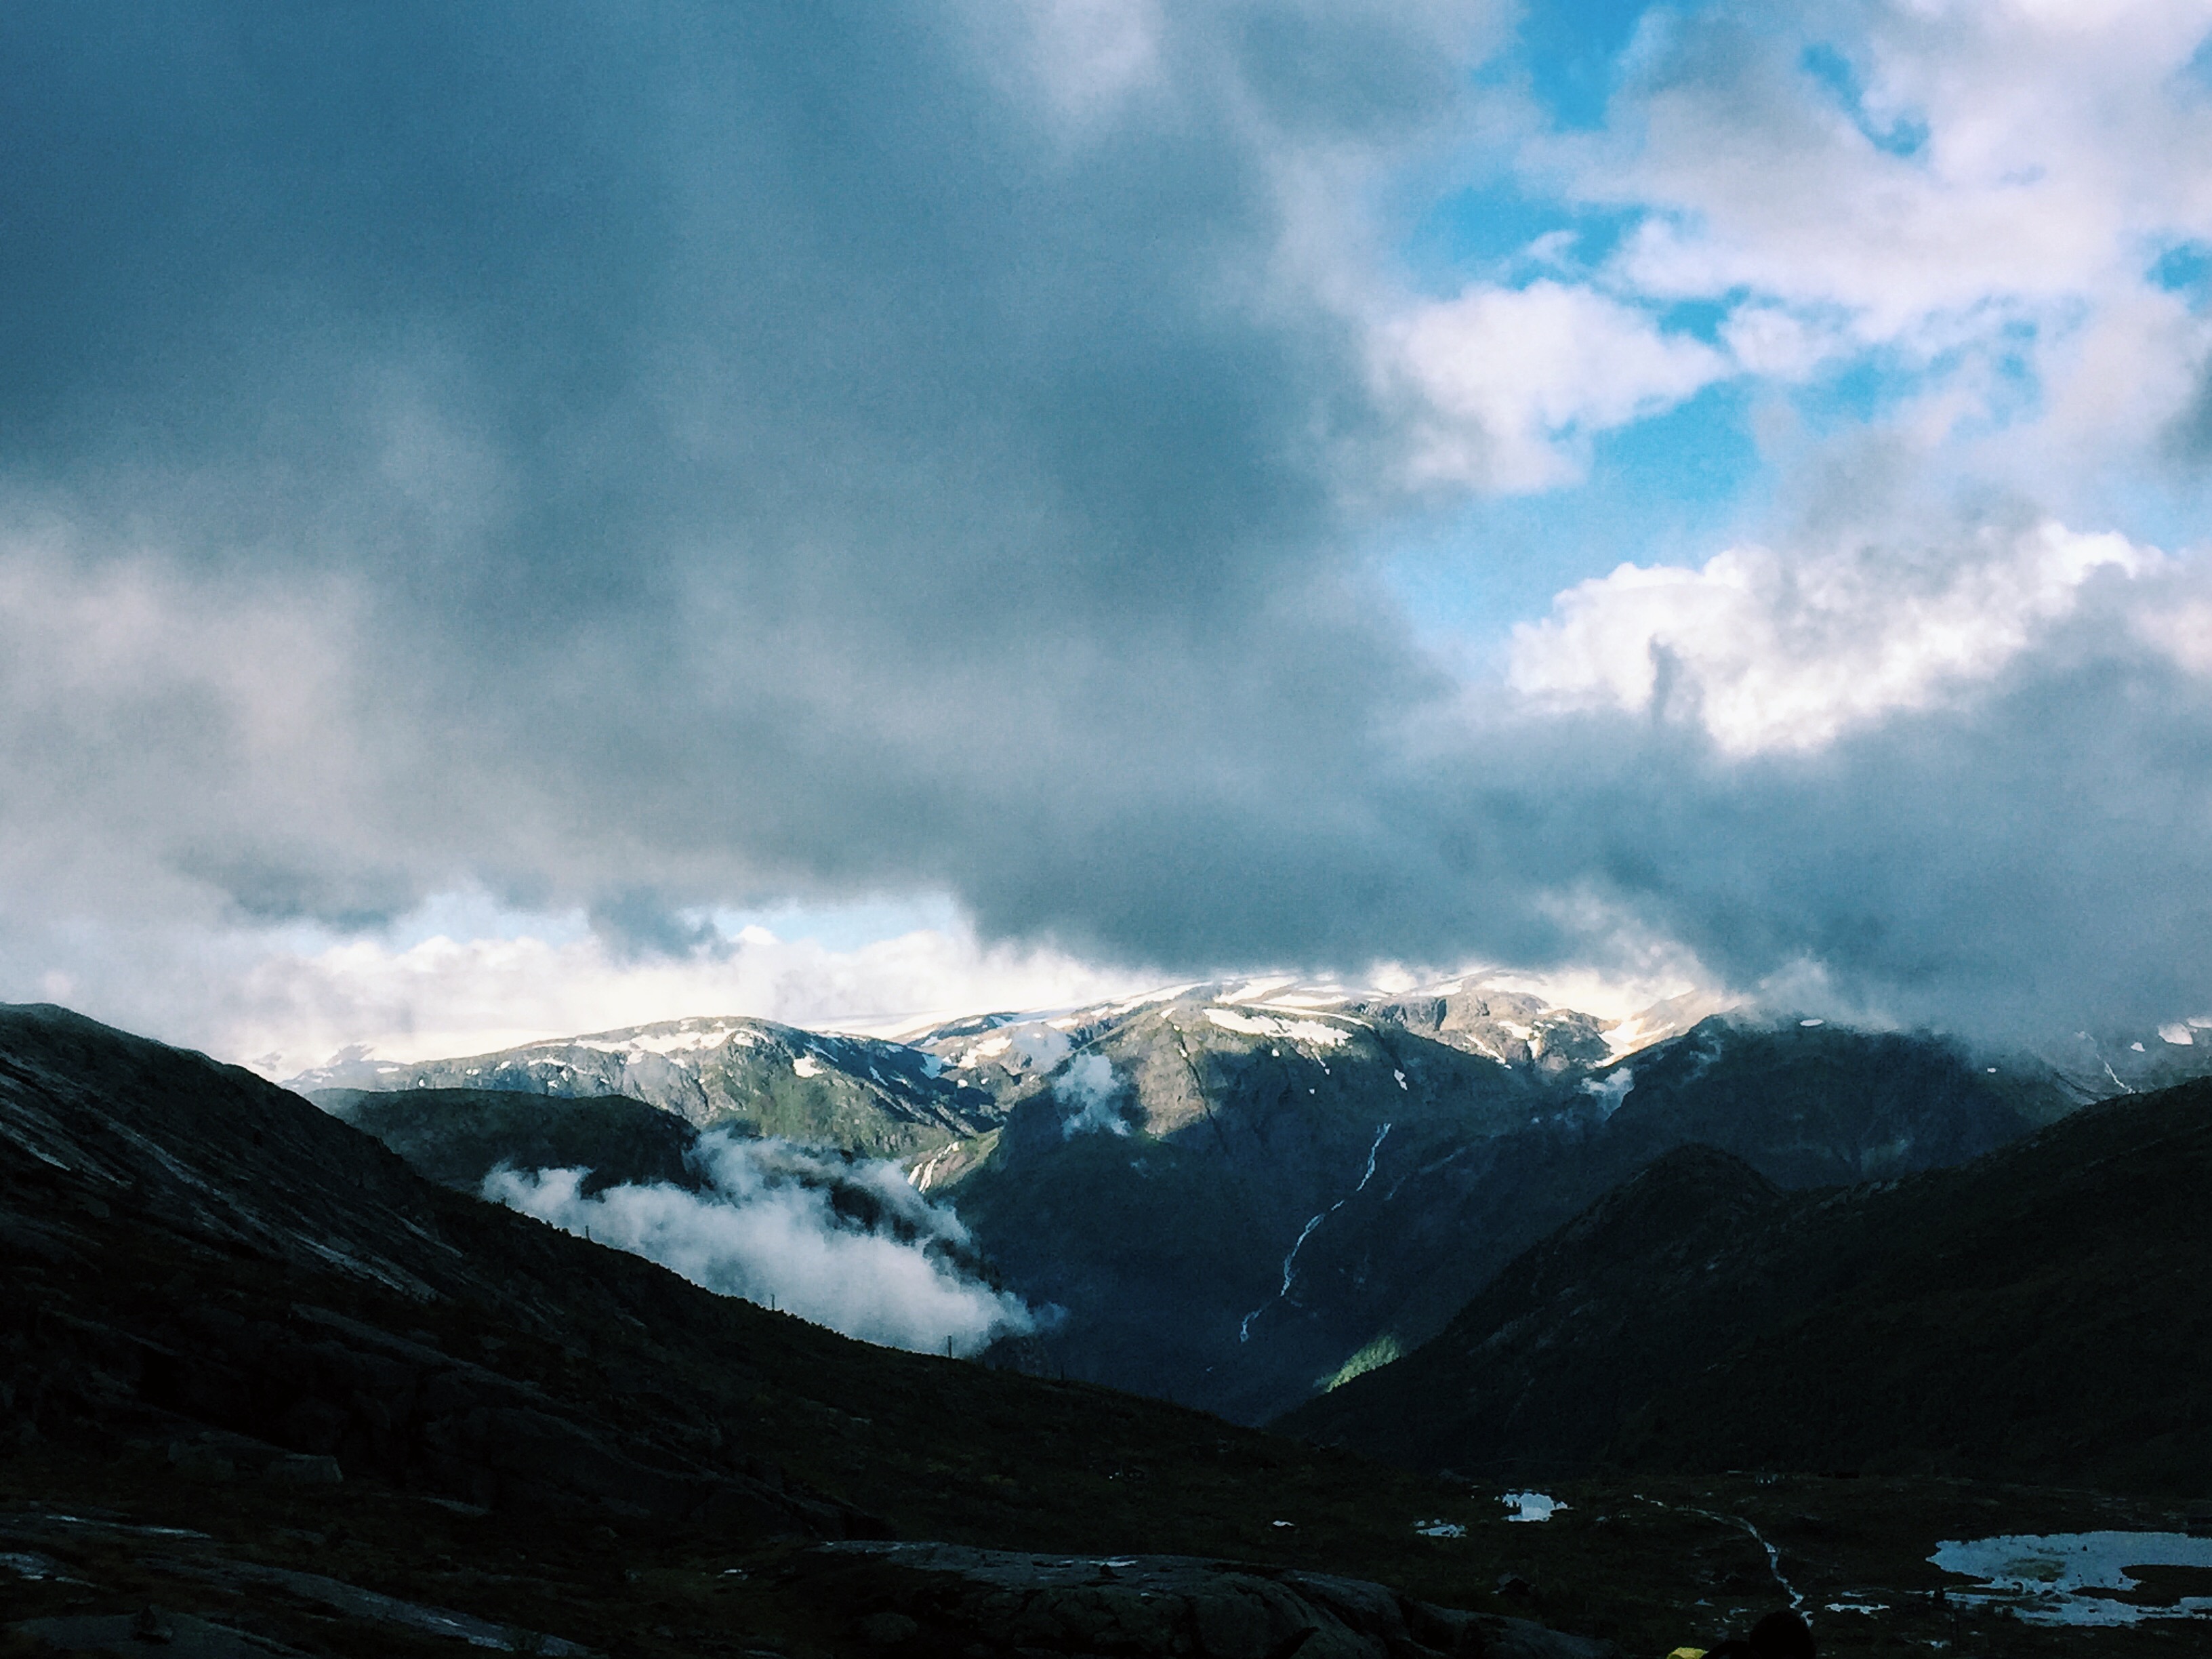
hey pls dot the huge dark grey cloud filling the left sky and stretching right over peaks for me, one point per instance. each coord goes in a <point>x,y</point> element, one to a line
<point>649,459</point>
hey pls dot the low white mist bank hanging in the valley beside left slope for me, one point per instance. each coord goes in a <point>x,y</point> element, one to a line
<point>769,1229</point>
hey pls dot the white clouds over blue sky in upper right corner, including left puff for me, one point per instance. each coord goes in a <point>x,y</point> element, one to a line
<point>1968,205</point>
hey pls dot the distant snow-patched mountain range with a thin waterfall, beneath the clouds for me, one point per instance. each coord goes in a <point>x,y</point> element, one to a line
<point>1238,1196</point>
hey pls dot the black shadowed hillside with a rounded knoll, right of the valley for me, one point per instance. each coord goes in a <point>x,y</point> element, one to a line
<point>2032,1315</point>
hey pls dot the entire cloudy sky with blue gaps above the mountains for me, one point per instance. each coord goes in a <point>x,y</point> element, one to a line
<point>539,519</point>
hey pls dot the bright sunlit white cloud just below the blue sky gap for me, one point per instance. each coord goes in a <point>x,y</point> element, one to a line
<point>1771,651</point>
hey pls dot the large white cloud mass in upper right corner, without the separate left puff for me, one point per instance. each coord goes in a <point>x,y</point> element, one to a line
<point>1972,198</point>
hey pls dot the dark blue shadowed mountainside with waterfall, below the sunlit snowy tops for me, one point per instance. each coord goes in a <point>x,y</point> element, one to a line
<point>1366,1271</point>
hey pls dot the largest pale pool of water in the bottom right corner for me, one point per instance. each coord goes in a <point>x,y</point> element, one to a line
<point>2085,1578</point>
